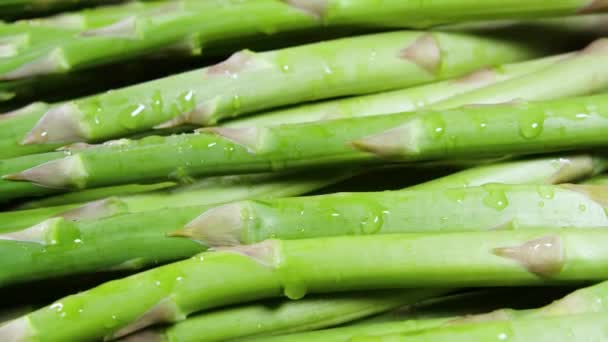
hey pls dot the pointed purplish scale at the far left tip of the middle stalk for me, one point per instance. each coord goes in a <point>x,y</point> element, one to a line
<point>59,173</point>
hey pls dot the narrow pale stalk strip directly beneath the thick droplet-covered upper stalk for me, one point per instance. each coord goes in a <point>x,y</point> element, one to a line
<point>403,100</point>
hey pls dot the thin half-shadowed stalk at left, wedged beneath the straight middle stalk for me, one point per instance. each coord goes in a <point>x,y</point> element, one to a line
<point>204,192</point>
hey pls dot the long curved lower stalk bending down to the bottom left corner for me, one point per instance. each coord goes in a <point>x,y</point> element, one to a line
<point>295,267</point>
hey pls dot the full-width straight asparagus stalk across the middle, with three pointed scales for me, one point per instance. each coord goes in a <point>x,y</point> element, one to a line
<point>565,124</point>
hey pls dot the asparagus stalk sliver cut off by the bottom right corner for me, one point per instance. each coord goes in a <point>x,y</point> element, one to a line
<point>584,327</point>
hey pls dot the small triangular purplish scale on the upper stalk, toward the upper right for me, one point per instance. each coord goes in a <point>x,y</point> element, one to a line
<point>424,52</point>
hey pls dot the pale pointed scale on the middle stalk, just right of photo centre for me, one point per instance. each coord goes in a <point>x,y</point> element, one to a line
<point>392,142</point>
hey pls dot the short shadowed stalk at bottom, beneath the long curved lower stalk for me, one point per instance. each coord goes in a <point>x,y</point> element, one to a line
<point>282,317</point>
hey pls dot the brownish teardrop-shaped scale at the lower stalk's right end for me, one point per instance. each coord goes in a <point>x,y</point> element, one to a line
<point>543,256</point>
